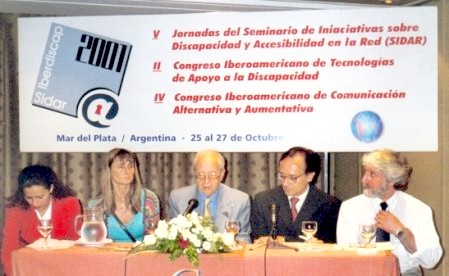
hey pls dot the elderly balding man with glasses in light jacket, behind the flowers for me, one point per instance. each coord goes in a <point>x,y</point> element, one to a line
<point>215,199</point>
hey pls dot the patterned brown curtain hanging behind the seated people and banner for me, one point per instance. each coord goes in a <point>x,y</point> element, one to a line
<point>161,172</point>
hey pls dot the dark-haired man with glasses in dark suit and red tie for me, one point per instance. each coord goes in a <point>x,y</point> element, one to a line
<point>298,171</point>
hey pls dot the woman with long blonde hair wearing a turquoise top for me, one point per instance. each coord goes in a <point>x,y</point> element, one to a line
<point>129,207</point>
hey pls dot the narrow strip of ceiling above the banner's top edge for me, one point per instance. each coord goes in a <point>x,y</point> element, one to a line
<point>115,7</point>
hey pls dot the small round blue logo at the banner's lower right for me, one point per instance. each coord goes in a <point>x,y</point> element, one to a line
<point>366,126</point>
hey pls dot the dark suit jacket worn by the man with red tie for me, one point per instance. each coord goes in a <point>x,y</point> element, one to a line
<point>317,206</point>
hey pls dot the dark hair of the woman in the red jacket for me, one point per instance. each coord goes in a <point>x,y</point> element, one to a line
<point>38,175</point>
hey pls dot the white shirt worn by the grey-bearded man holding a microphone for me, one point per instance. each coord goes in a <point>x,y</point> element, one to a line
<point>413,214</point>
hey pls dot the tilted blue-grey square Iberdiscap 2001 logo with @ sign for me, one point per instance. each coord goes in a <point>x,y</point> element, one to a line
<point>81,74</point>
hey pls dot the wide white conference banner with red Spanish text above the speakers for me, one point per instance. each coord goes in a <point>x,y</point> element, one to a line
<point>345,80</point>
